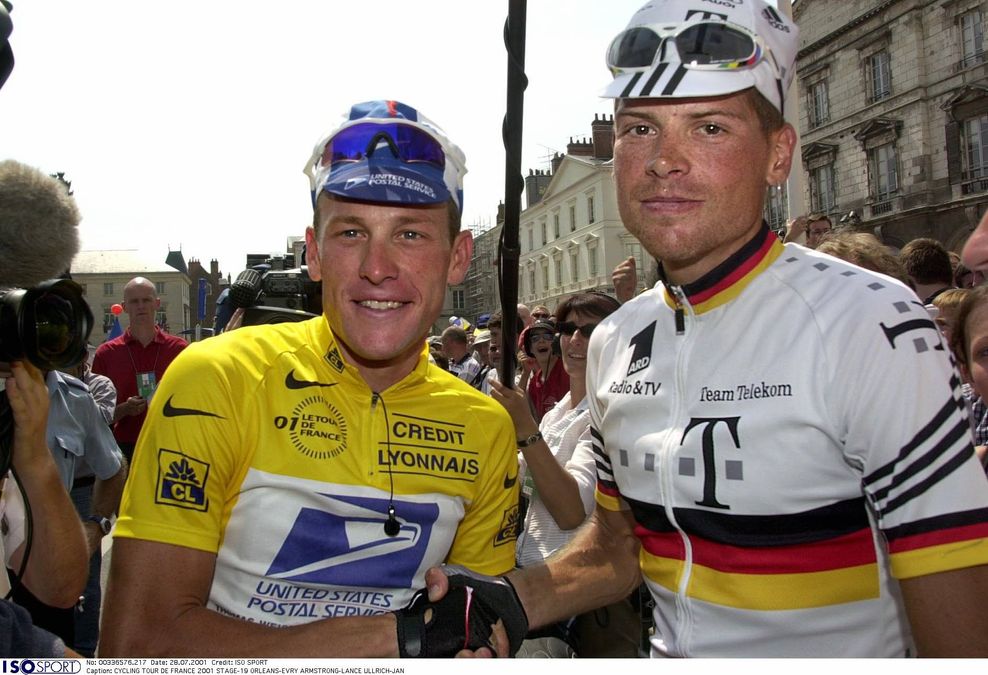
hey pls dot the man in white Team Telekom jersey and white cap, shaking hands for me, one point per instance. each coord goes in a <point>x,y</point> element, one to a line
<point>825,502</point>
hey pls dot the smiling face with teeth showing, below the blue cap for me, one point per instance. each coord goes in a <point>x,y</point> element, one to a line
<point>384,270</point>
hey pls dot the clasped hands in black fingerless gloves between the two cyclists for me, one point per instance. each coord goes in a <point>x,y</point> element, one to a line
<point>463,618</point>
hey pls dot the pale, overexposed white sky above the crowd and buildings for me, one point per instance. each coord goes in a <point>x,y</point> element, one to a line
<point>187,125</point>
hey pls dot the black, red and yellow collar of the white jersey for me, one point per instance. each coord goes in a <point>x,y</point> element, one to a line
<point>726,281</point>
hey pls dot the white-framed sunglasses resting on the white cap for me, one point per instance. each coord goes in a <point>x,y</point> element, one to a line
<point>704,45</point>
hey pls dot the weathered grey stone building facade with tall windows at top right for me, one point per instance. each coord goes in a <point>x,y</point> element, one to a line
<point>894,114</point>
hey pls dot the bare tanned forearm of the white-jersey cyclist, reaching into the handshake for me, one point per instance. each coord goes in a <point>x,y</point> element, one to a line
<point>597,568</point>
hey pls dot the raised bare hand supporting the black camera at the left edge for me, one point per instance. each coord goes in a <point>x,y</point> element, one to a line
<point>28,398</point>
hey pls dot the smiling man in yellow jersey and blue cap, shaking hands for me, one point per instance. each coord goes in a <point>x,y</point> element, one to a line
<point>295,481</point>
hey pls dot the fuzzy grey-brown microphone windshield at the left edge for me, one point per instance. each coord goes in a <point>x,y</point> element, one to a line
<point>39,226</point>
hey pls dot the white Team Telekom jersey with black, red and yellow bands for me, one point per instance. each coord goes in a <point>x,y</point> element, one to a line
<point>789,435</point>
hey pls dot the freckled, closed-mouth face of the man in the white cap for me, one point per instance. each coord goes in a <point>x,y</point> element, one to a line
<point>691,176</point>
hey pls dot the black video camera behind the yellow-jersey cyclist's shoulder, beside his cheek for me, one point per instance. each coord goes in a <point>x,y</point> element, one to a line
<point>270,295</point>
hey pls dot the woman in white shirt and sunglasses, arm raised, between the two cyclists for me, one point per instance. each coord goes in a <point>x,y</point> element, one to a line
<point>557,467</point>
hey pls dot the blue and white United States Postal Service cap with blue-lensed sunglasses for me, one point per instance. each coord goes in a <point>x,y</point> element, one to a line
<point>388,152</point>
